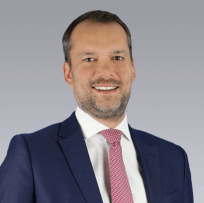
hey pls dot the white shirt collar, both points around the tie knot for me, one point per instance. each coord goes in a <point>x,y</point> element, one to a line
<point>90,126</point>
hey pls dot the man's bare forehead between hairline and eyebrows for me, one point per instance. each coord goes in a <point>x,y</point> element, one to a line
<point>99,35</point>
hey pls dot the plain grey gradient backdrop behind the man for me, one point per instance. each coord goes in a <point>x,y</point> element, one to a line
<point>168,47</point>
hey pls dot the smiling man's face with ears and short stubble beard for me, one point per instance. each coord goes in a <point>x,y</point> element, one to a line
<point>102,72</point>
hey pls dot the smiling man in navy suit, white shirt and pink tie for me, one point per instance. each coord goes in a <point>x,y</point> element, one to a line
<point>76,161</point>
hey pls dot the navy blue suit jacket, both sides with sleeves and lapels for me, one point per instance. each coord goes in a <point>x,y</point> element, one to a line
<point>53,166</point>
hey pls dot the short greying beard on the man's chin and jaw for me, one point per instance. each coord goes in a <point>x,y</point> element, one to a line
<point>106,110</point>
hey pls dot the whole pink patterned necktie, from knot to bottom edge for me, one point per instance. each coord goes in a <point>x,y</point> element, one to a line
<point>120,188</point>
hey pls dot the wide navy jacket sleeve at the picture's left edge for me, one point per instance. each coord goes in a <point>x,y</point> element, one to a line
<point>16,178</point>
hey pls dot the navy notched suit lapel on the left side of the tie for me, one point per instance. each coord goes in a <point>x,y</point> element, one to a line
<point>77,157</point>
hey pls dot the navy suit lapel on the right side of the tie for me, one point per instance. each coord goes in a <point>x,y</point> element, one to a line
<point>148,157</point>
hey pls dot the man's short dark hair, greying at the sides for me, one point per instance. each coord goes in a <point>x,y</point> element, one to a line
<point>96,17</point>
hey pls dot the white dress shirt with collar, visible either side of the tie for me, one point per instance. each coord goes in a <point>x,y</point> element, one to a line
<point>98,149</point>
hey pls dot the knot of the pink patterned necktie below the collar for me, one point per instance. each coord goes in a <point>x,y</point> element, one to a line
<point>112,135</point>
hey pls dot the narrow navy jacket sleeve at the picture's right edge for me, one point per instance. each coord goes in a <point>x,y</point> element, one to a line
<point>188,191</point>
